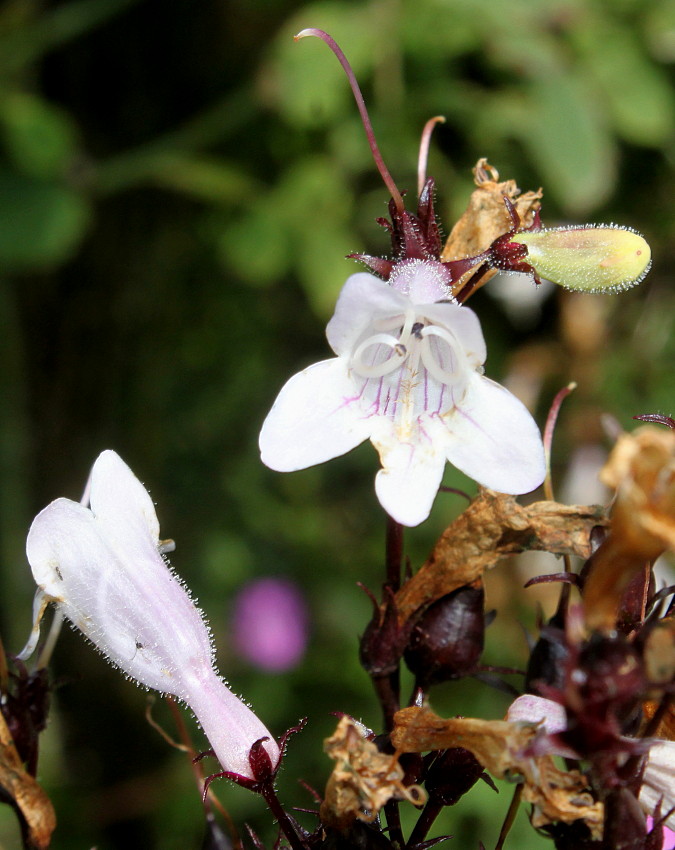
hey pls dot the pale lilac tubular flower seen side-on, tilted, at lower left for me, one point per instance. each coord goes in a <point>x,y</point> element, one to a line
<point>103,566</point>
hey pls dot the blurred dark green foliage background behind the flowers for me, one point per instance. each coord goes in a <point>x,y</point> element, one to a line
<point>179,184</point>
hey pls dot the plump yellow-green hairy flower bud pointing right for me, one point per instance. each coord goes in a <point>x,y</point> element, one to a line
<point>606,258</point>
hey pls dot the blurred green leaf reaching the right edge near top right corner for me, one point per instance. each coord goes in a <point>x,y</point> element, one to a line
<point>637,93</point>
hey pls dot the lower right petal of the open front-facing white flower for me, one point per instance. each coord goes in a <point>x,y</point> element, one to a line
<point>494,440</point>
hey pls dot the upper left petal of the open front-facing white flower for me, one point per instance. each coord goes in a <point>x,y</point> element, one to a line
<point>363,298</point>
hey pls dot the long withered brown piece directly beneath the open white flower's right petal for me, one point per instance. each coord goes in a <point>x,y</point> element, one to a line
<point>492,527</point>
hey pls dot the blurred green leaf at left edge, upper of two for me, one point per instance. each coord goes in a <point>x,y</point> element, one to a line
<point>39,137</point>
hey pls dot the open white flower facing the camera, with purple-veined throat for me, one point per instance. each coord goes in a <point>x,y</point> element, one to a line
<point>408,376</point>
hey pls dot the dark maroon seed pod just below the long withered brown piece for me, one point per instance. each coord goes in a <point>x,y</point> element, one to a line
<point>447,641</point>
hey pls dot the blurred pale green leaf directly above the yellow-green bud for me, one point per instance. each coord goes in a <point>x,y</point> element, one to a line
<point>568,141</point>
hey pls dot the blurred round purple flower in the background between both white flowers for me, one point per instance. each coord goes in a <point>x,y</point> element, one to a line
<point>270,624</point>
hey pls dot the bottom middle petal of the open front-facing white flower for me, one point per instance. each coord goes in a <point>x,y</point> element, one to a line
<point>407,484</point>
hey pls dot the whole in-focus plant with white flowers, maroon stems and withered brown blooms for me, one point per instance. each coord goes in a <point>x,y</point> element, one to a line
<point>408,374</point>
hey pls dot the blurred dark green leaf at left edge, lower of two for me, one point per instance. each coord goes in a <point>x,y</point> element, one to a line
<point>41,223</point>
